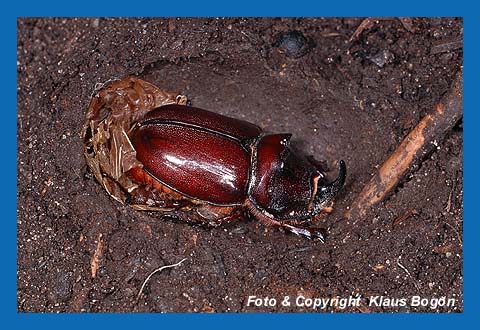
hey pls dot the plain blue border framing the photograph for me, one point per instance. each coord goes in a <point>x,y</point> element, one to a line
<point>243,8</point>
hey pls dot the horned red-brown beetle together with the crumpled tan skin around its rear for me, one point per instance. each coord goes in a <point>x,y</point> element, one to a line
<point>151,151</point>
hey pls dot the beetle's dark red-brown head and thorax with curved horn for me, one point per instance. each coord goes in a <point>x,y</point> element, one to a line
<point>285,186</point>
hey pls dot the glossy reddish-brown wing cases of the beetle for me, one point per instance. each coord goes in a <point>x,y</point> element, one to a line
<point>188,157</point>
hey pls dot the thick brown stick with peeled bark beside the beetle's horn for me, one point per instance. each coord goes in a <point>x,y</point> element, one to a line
<point>426,136</point>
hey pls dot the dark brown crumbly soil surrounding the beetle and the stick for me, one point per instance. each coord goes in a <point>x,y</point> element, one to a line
<point>80,250</point>
